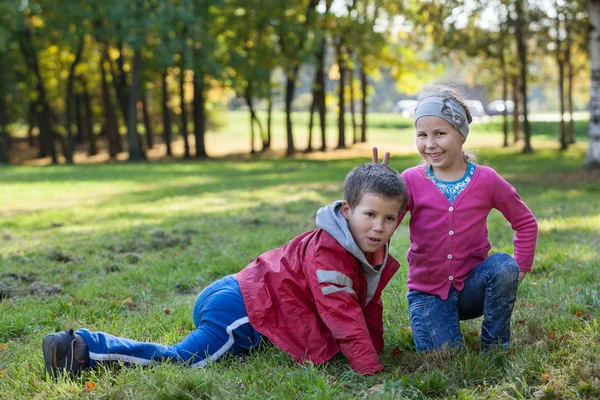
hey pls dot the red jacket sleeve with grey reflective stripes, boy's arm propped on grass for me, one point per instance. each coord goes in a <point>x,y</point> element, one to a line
<point>332,280</point>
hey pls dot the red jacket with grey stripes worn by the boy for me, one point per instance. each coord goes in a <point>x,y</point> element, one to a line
<point>309,298</point>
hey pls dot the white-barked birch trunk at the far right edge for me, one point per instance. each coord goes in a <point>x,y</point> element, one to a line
<point>593,155</point>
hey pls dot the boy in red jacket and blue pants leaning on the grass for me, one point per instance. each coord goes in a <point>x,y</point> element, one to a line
<point>318,294</point>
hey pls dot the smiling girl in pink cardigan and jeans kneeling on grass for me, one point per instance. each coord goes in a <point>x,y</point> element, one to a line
<point>451,277</point>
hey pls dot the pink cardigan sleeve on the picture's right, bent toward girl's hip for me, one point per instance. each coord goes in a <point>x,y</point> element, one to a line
<point>523,222</point>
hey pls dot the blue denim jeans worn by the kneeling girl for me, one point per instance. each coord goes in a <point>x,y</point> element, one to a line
<point>490,290</point>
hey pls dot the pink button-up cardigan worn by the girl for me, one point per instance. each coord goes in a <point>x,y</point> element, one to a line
<point>448,240</point>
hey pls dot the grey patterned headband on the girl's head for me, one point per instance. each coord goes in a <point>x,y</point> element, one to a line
<point>445,108</point>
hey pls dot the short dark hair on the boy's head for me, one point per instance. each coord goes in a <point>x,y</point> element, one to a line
<point>374,178</point>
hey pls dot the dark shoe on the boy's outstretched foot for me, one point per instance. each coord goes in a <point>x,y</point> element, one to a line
<point>64,352</point>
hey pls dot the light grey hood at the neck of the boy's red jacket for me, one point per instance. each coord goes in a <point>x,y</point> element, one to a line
<point>331,220</point>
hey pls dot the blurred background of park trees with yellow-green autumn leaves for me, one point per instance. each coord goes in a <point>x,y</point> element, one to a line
<point>90,81</point>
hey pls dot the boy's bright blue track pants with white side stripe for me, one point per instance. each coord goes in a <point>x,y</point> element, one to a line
<point>222,328</point>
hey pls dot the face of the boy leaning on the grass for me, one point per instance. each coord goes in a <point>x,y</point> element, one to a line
<point>373,221</point>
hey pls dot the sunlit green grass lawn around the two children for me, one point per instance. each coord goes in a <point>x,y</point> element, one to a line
<point>126,248</point>
